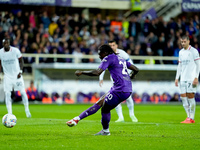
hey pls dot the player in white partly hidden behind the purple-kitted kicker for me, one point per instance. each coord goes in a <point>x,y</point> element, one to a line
<point>129,101</point>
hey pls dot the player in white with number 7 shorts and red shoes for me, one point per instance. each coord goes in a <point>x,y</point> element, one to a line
<point>188,71</point>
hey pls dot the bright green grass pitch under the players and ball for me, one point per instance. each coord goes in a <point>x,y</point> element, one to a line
<point>158,128</point>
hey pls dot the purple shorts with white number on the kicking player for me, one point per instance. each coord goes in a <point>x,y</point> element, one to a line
<point>113,98</point>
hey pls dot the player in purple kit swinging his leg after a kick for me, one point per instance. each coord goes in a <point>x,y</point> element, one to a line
<point>120,91</point>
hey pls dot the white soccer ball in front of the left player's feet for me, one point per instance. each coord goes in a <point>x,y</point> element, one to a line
<point>9,120</point>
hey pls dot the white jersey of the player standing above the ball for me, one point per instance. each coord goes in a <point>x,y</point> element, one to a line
<point>10,62</point>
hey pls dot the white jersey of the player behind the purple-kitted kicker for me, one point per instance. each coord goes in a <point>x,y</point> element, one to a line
<point>122,54</point>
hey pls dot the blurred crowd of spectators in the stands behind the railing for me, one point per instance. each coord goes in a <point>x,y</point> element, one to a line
<point>34,32</point>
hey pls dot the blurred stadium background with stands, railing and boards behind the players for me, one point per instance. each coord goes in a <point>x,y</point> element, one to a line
<point>58,37</point>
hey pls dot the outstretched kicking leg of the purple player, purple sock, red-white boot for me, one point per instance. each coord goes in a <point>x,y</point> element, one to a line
<point>93,109</point>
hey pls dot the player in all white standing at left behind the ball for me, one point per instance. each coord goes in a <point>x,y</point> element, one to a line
<point>12,63</point>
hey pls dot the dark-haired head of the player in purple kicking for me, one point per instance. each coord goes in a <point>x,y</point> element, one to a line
<point>105,50</point>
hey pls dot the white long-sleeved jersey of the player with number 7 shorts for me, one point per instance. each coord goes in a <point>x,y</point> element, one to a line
<point>187,60</point>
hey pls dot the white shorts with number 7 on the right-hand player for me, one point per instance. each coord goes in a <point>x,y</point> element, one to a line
<point>187,87</point>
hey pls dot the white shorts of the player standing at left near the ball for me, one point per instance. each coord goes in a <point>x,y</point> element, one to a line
<point>16,84</point>
